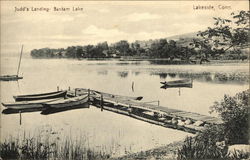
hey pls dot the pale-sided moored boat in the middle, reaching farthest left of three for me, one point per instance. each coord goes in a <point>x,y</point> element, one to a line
<point>28,104</point>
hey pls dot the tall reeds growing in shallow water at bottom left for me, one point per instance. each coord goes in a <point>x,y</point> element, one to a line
<point>49,147</point>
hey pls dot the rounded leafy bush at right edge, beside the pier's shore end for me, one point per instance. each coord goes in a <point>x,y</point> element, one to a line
<point>234,111</point>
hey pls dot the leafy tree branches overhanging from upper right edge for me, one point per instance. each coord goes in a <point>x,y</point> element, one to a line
<point>228,33</point>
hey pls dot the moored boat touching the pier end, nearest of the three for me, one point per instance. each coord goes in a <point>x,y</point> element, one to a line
<point>67,102</point>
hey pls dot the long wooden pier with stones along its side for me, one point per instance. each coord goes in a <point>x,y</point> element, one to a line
<point>155,114</point>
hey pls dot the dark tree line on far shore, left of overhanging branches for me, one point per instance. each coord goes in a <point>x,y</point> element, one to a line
<point>158,49</point>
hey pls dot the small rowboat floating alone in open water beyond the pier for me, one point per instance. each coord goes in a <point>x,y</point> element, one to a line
<point>178,83</point>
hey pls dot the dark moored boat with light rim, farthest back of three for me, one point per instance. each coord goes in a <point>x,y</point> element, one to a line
<point>58,94</point>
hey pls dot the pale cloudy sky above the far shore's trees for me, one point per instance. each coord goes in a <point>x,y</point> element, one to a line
<point>109,21</point>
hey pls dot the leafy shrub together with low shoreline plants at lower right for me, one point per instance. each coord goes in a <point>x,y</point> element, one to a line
<point>234,130</point>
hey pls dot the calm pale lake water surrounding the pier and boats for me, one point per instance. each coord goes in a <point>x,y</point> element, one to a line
<point>116,133</point>
